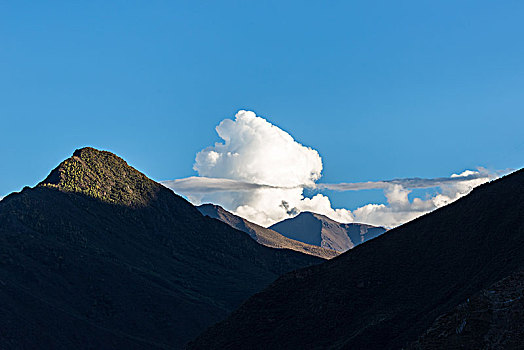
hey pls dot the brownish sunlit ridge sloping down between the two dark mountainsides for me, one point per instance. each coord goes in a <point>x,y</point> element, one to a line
<point>263,235</point>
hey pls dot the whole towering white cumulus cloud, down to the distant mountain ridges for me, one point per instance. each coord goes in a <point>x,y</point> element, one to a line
<point>269,167</point>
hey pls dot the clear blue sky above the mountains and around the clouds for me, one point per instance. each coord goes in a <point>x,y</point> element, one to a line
<point>382,89</point>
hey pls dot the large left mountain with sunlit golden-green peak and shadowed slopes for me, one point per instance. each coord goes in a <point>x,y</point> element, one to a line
<point>99,256</point>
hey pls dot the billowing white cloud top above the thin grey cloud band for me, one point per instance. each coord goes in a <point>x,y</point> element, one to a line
<point>258,152</point>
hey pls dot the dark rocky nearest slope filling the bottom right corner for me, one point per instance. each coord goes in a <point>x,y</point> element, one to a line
<point>491,319</point>
